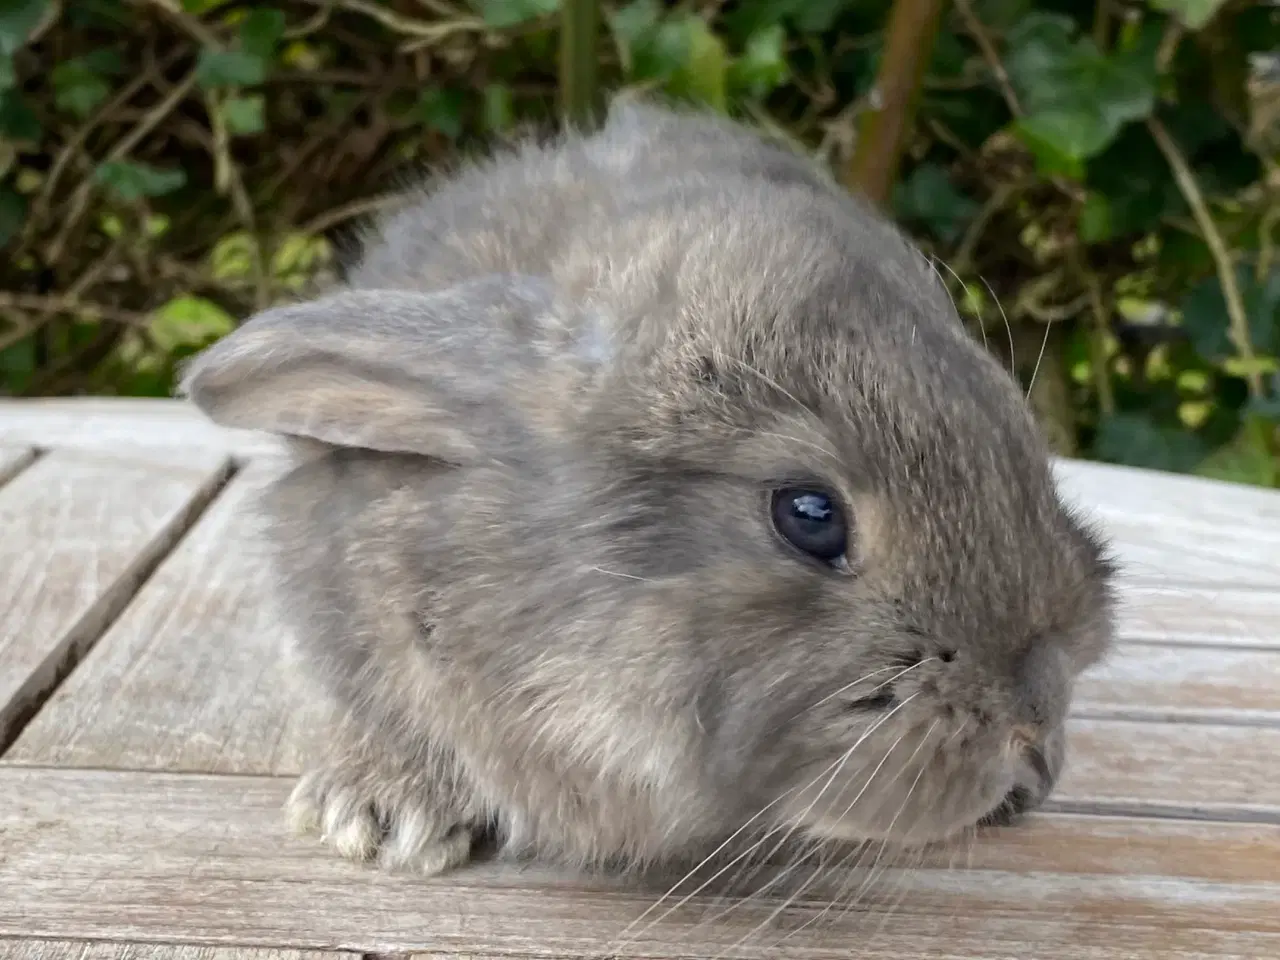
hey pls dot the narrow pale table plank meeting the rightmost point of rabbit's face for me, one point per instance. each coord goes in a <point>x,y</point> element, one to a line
<point>1205,615</point>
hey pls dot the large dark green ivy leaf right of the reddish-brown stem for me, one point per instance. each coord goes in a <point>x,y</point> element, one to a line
<point>1076,99</point>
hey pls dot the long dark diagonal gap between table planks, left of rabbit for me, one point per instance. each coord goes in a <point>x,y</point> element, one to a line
<point>81,639</point>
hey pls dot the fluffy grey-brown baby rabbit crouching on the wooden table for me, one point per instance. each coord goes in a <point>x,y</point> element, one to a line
<point>651,487</point>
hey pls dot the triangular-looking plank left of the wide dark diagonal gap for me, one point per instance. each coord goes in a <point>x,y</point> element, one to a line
<point>81,532</point>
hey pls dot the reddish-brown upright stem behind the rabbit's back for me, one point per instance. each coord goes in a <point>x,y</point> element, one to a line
<point>912,30</point>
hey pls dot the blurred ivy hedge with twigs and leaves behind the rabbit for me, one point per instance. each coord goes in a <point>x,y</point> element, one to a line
<point>1101,179</point>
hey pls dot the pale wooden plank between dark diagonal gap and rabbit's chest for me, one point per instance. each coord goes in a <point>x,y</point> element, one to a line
<point>190,676</point>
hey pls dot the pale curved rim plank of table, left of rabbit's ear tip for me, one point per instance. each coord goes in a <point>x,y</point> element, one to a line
<point>125,423</point>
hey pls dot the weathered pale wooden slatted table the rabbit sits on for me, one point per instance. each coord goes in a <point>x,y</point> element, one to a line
<point>149,744</point>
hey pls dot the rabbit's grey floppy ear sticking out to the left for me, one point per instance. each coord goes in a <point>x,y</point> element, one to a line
<point>383,371</point>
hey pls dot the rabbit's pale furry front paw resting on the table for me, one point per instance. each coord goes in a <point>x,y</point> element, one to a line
<point>369,816</point>
